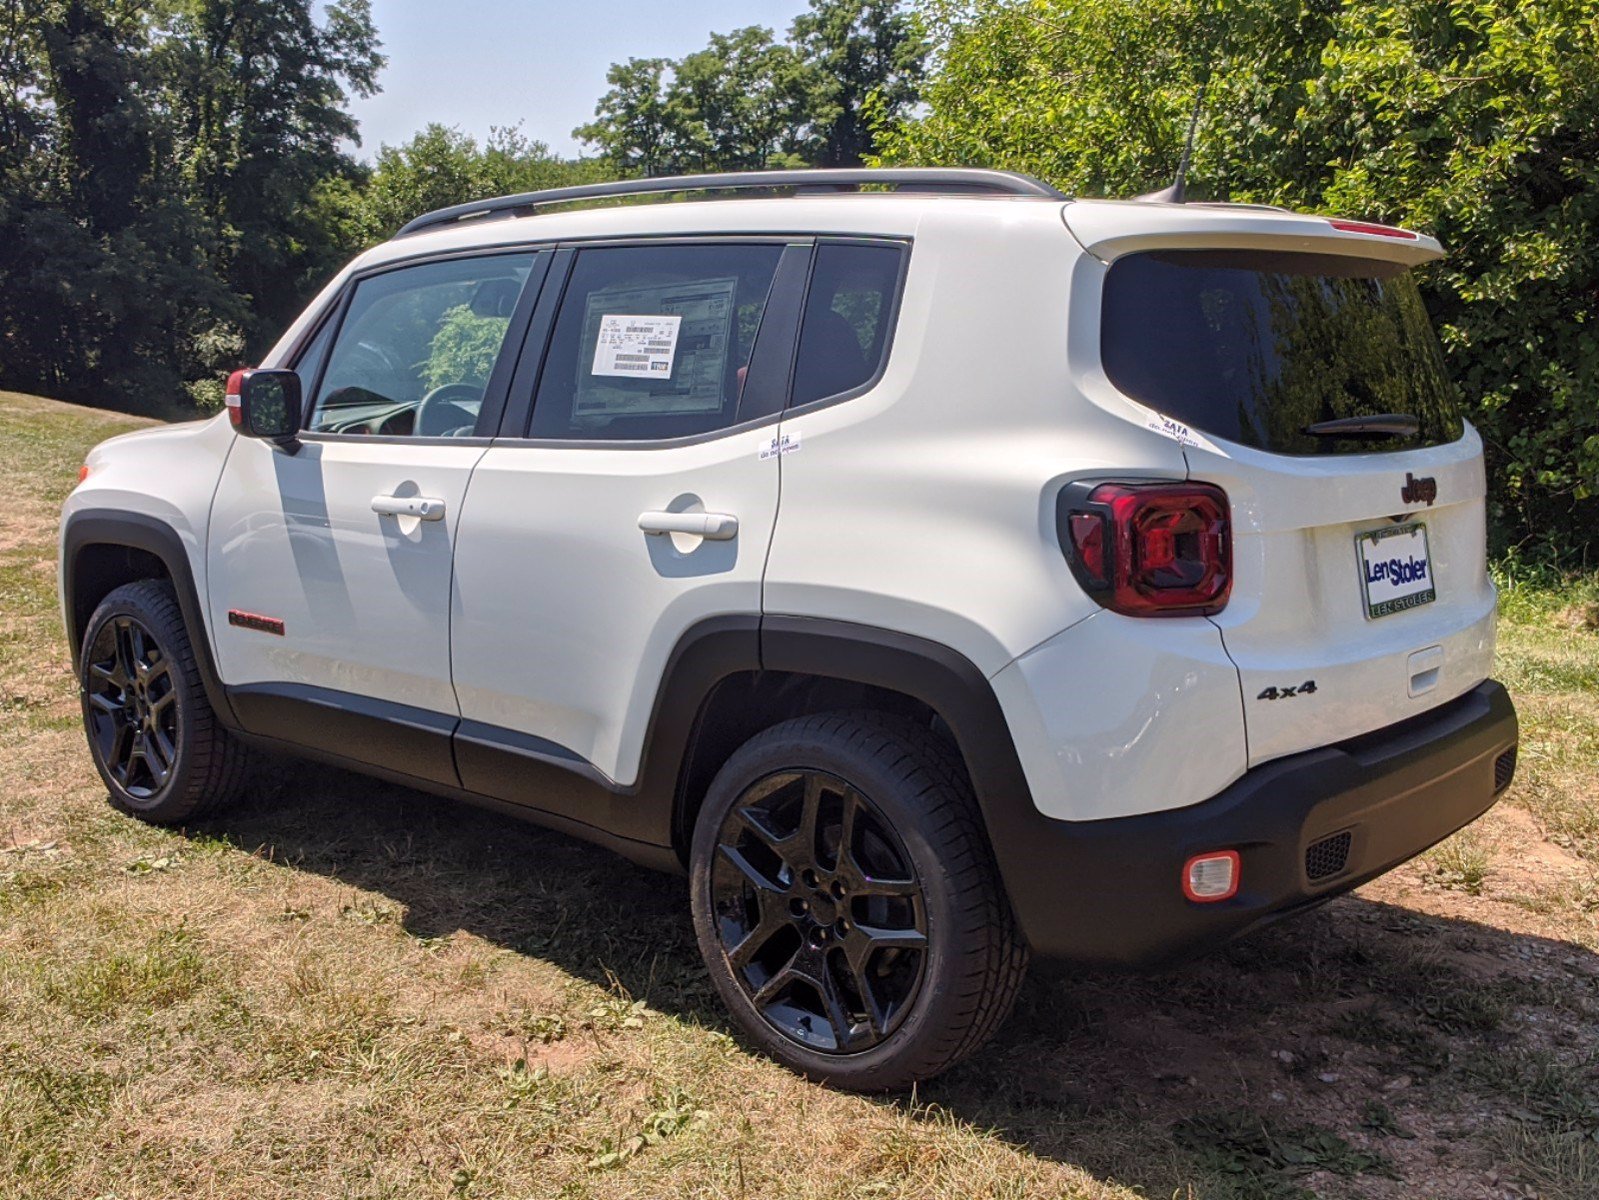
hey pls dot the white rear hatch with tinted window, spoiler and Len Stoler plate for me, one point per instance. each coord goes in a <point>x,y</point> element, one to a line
<point>1294,361</point>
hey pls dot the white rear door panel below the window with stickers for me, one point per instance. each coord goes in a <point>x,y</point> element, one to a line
<point>567,614</point>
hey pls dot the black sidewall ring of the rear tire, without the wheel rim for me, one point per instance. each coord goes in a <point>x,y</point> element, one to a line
<point>898,1060</point>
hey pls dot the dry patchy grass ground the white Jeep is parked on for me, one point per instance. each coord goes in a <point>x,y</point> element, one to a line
<point>345,990</point>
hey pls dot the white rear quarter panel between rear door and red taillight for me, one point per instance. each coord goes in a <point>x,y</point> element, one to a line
<point>928,506</point>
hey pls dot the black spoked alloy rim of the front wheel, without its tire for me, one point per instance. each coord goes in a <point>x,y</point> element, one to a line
<point>132,706</point>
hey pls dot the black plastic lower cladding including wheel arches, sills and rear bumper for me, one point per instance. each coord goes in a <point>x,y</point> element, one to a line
<point>1424,778</point>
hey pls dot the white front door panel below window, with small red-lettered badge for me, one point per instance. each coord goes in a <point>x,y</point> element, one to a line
<point>364,598</point>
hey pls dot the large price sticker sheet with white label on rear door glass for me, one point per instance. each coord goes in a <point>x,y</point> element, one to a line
<point>671,361</point>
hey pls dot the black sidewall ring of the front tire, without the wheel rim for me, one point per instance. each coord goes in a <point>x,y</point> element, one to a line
<point>140,602</point>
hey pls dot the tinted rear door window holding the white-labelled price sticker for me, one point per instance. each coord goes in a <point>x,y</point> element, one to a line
<point>653,342</point>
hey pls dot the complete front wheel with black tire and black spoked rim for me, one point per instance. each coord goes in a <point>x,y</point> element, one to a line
<point>153,734</point>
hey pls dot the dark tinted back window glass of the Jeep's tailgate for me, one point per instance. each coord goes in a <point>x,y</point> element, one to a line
<point>1258,346</point>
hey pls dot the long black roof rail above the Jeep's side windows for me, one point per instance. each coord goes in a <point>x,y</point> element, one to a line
<point>971,182</point>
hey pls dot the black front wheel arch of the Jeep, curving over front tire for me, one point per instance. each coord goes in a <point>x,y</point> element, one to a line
<point>103,551</point>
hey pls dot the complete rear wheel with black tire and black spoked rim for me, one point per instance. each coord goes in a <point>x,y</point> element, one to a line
<point>847,902</point>
